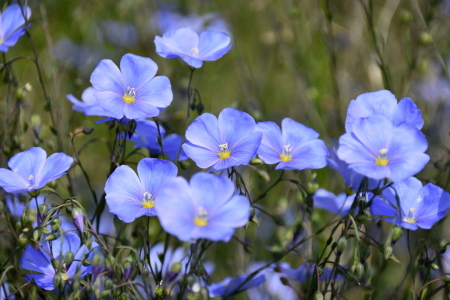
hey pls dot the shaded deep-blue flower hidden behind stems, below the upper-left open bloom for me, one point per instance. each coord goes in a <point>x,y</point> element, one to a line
<point>146,135</point>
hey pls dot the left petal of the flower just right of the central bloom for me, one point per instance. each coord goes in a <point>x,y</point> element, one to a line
<point>271,144</point>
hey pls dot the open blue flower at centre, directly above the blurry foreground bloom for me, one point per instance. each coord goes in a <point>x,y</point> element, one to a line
<point>221,143</point>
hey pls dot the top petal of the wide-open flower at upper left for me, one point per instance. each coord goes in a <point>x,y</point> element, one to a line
<point>137,71</point>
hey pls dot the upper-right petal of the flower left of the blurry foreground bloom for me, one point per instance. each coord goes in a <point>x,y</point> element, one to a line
<point>154,173</point>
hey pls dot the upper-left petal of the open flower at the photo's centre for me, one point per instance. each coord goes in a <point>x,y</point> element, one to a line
<point>204,132</point>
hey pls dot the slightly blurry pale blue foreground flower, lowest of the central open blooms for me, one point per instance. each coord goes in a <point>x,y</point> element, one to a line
<point>204,208</point>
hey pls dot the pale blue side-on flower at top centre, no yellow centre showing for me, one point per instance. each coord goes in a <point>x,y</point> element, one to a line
<point>191,47</point>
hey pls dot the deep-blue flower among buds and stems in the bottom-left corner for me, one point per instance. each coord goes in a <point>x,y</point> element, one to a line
<point>40,261</point>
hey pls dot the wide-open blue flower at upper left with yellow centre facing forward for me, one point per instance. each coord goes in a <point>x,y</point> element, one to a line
<point>132,91</point>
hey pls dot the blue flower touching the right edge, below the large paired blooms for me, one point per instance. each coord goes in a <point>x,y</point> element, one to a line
<point>419,206</point>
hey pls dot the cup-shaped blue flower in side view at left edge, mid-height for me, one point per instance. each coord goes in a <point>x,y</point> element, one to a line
<point>31,170</point>
